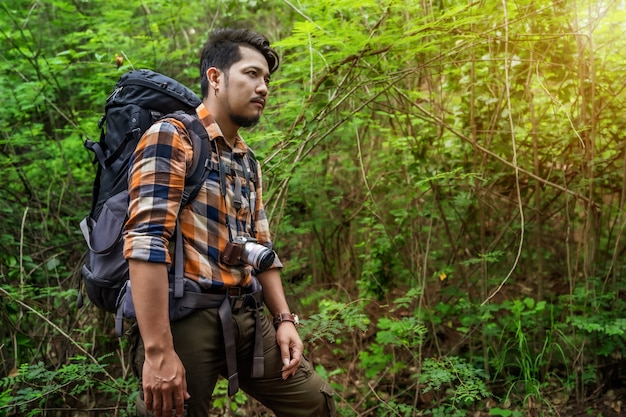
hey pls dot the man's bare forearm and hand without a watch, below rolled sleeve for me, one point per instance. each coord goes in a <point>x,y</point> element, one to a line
<point>163,375</point>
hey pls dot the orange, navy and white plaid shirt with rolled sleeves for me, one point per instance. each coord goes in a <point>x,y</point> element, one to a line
<point>155,186</point>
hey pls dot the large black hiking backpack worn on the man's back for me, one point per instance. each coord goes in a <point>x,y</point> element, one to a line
<point>139,99</point>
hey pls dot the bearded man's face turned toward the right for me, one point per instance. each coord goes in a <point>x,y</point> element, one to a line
<point>246,88</point>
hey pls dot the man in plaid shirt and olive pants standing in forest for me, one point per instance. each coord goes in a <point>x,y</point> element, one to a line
<point>179,361</point>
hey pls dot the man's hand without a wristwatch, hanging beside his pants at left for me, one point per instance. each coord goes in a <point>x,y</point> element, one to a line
<point>163,380</point>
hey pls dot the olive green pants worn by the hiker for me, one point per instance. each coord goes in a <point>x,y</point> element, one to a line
<point>199,343</point>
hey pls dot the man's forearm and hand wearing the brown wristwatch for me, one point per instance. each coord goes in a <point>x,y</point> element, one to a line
<point>286,335</point>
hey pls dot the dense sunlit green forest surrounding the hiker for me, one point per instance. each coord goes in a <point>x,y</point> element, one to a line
<point>445,182</point>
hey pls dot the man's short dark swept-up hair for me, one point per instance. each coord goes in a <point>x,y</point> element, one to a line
<point>222,50</point>
